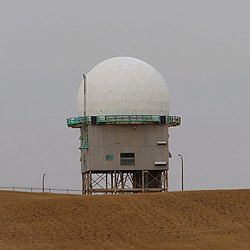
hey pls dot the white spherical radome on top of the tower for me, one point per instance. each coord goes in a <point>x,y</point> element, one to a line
<point>124,86</point>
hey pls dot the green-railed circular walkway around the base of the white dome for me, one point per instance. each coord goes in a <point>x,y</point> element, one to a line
<point>78,122</point>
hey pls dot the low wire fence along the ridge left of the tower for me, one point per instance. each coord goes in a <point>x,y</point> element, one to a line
<point>40,190</point>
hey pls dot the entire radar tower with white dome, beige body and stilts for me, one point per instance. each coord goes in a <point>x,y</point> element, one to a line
<point>123,117</point>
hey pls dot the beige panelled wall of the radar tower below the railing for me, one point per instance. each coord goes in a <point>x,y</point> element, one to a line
<point>115,139</point>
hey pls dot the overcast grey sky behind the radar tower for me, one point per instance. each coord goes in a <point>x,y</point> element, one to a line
<point>201,48</point>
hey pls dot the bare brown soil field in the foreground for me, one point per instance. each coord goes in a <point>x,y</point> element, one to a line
<point>175,220</point>
